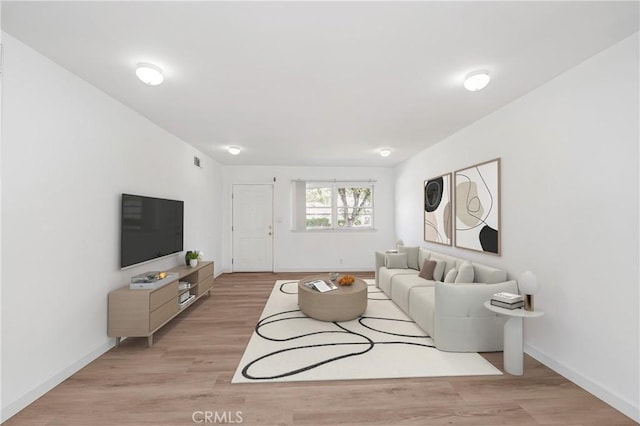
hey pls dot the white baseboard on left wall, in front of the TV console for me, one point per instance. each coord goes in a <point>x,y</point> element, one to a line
<point>16,406</point>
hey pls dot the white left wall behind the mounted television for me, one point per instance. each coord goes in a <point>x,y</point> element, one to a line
<point>68,151</point>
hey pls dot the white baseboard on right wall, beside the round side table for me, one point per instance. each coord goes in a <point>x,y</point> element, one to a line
<point>596,389</point>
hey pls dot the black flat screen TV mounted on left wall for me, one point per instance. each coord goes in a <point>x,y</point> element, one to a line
<point>150,228</point>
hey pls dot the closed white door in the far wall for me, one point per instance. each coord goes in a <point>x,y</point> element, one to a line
<point>252,228</point>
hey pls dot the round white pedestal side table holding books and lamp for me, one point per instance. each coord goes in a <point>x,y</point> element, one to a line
<point>513,341</point>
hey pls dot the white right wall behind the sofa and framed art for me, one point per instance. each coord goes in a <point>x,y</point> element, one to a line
<point>569,209</point>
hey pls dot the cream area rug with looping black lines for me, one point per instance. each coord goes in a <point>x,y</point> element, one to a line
<point>383,343</point>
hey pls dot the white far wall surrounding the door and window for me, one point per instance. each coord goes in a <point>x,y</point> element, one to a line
<point>321,250</point>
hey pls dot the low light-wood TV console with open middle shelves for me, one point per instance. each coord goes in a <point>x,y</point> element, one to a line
<point>140,313</point>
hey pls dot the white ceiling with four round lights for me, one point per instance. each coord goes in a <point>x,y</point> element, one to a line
<point>317,83</point>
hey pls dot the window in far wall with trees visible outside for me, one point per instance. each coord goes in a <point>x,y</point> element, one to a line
<point>335,205</point>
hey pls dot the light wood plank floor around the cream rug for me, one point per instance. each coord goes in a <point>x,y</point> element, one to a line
<point>190,366</point>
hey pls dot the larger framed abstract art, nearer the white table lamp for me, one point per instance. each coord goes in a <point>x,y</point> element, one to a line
<point>477,207</point>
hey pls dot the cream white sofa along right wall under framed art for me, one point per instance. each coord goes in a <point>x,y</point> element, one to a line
<point>452,313</point>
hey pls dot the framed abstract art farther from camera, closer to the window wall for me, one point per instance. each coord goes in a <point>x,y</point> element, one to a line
<point>438,210</point>
